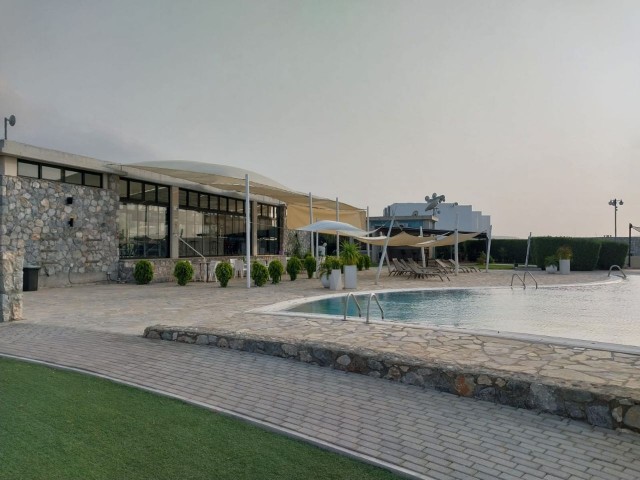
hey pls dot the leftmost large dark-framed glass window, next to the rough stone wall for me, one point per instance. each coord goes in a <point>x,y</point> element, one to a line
<point>143,225</point>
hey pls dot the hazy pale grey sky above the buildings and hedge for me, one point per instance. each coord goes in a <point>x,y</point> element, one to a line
<point>526,110</point>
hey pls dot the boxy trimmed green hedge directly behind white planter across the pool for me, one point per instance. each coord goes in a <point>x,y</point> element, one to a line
<point>585,251</point>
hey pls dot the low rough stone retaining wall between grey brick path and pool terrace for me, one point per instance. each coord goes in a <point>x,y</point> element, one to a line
<point>608,410</point>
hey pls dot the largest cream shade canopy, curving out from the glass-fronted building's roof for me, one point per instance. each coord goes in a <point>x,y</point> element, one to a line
<point>232,179</point>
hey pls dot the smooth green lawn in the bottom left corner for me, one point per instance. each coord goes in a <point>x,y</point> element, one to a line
<point>62,425</point>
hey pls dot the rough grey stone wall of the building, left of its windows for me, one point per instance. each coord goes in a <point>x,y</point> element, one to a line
<point>34,219</point>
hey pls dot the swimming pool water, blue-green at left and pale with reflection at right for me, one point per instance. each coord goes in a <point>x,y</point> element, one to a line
<point>608,312</point>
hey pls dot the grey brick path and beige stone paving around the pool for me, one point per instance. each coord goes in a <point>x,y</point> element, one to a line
<point>418,432</point>
